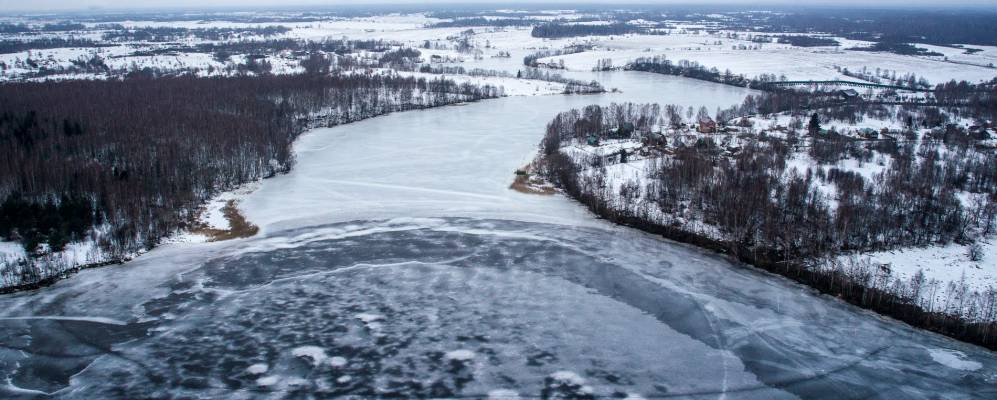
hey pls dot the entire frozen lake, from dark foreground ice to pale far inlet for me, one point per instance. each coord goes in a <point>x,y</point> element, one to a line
<point>394,261</point>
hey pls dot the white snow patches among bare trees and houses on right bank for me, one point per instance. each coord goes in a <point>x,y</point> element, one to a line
<point>949,267</point>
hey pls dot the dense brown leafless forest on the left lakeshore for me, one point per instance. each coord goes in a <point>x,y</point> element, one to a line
<point>127,162</point>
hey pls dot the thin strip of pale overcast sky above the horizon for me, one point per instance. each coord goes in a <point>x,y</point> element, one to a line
<point>52,5</point>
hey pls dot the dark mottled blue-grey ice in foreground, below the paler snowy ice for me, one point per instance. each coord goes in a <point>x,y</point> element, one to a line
<point>566,309</point>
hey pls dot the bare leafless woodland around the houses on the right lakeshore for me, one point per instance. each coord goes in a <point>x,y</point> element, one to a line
<point>738,195</point>
